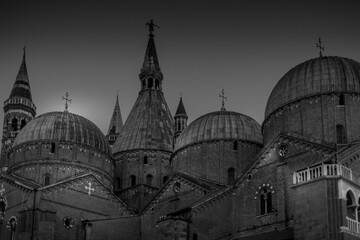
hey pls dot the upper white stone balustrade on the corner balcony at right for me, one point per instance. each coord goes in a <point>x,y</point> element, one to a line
<point>318,171</point>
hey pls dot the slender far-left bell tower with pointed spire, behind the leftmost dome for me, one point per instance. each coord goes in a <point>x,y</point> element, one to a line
<point>19,109</point>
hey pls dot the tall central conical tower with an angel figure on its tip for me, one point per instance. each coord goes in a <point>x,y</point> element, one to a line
<point>142,150</point>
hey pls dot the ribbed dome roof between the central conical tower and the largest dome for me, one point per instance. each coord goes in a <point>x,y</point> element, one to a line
<point>220,125</point>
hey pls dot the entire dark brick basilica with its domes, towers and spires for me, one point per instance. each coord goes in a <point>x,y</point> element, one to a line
<point>158,177</point>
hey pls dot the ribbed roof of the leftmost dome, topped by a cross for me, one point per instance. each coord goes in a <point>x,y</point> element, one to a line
<point>63,126</point>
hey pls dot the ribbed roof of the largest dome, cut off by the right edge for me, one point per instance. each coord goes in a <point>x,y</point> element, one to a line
<point>314,77</point>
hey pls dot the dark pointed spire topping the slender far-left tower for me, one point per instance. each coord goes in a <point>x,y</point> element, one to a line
<point>21,86</point>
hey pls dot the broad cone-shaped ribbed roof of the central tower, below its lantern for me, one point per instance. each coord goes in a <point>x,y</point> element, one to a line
<point>149,125</point>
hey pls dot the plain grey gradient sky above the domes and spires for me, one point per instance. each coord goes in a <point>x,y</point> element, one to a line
<point>94,49</point>
